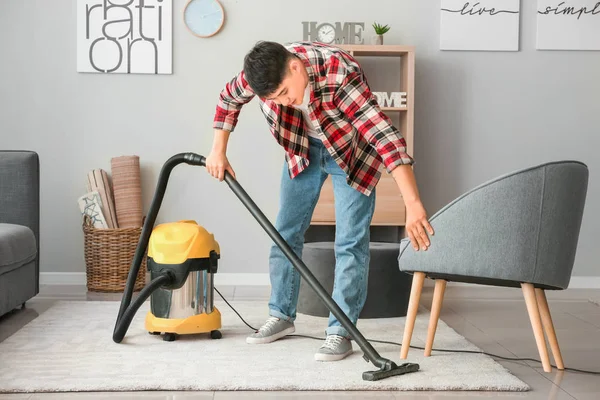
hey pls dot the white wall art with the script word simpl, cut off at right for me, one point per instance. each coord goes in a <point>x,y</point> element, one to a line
<point>568,25</point>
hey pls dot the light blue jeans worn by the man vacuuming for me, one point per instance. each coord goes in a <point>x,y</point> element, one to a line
<point>354,212</point>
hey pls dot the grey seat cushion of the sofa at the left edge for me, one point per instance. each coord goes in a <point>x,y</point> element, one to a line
<point>17,246</point>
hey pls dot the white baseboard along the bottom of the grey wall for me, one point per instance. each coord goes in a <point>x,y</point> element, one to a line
<point>262,279</point>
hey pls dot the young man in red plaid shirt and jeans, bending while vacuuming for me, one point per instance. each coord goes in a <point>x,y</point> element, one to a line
<point>320,109</point>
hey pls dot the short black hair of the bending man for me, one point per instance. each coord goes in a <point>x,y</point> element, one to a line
<point>265,67</point>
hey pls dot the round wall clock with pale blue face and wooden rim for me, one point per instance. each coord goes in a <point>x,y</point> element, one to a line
<point>204,18</point>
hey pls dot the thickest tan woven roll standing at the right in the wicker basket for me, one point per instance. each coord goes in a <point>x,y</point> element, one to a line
<point>127,188</point>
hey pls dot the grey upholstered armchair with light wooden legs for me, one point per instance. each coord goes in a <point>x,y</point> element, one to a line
<point>518,230</point>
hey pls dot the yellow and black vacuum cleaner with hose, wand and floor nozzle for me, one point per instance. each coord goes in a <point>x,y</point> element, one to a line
<point>182,259</point>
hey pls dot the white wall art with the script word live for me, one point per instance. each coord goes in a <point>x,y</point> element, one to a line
<point>486,25</point>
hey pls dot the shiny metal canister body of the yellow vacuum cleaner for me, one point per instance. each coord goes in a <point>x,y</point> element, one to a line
<point>193,298</point>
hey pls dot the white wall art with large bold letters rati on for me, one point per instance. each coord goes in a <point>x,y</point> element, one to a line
<point>128,37</point>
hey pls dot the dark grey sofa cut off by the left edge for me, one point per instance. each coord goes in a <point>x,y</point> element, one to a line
<point>19,228</point>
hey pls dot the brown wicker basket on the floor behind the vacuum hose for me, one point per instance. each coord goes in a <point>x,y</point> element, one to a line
<point>108,255</point>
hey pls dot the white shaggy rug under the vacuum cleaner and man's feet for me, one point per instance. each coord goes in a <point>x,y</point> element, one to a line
<point>69,348</point>
